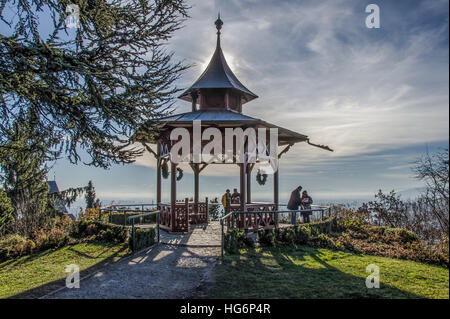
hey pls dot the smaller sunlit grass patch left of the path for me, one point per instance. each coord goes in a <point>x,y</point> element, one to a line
<point>40,273</point>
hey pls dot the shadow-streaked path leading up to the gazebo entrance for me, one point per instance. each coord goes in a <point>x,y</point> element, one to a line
<point>179,267</point>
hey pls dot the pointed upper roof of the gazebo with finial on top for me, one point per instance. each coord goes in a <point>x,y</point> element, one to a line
<point>218,75</point>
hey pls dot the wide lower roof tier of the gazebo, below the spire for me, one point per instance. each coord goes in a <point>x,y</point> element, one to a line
<point>228,118</point>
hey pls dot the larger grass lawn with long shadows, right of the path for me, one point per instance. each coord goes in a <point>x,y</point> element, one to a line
<point>322,273</point>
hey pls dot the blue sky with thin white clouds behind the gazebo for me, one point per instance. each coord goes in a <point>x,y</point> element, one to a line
<point>378,97</point>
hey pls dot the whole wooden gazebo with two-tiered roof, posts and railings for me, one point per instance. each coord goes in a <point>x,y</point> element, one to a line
<point>217,98</point>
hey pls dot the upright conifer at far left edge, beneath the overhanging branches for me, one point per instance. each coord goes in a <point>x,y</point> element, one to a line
<point>23,171</point>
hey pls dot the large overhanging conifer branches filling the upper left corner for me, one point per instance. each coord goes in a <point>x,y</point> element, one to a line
<point>95,84</point>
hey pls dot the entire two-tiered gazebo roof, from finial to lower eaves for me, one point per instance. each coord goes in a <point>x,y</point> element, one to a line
<point>216,76</point>
